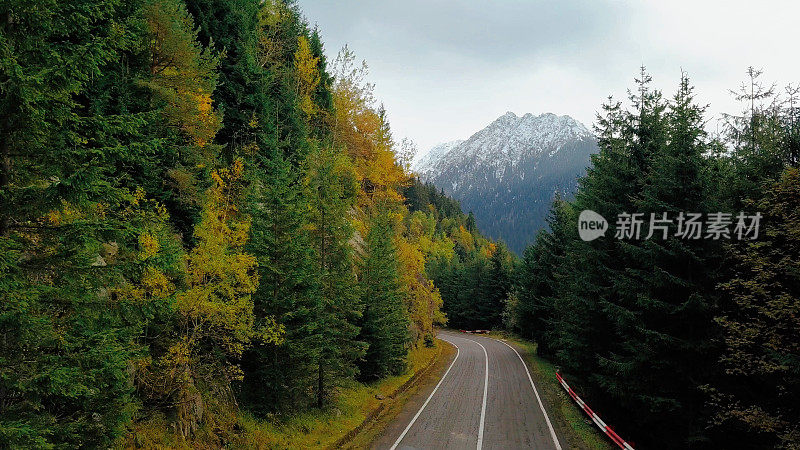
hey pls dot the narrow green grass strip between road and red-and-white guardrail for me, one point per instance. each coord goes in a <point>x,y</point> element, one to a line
<point>580,432</point>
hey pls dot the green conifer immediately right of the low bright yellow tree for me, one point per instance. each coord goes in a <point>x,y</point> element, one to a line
<point>283,377</point>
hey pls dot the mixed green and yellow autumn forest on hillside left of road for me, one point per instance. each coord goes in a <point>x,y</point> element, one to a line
<point>177,223</point>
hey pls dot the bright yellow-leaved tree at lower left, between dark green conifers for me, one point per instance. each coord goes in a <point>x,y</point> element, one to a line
<point>216,309</point>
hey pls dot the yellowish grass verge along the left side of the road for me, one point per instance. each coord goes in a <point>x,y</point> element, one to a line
<point>314,429</point>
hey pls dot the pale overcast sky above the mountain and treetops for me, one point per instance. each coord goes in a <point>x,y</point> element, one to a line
<point>445,69</point>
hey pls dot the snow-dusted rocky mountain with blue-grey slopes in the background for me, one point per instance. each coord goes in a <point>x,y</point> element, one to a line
<point>508,172</point>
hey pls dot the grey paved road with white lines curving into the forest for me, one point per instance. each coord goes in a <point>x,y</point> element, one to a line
<point>485,400</point>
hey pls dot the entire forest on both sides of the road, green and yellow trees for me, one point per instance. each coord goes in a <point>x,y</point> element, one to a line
<point>203,218</point>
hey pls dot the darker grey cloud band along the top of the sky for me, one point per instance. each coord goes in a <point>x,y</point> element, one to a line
<point>486,33</point>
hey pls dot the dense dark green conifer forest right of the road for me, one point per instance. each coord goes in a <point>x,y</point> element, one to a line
<point>683,343</point>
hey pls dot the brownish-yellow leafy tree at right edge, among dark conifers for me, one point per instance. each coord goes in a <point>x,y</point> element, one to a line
<point>759,320</point>
